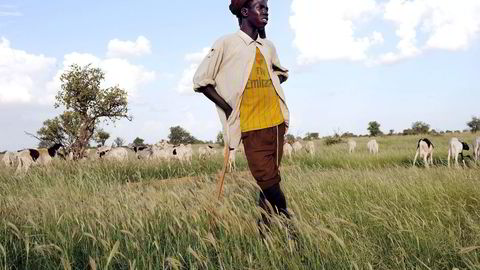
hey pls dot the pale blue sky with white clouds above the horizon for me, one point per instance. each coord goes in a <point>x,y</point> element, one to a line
<point>350,62</point>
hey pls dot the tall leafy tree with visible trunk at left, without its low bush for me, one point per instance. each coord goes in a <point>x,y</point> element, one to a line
<point>89,103</point>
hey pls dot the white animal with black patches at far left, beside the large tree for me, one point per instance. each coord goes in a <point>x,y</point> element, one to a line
<point>29,157</point>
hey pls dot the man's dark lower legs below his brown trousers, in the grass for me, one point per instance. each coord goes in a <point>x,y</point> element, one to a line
<point>274,195</point>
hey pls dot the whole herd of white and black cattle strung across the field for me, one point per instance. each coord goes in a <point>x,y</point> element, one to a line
<point>163,150</point>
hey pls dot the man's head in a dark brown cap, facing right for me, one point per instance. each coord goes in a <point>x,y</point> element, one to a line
<point>253,12</point>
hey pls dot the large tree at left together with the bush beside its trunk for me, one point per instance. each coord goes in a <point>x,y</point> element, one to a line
<point>86,103</point>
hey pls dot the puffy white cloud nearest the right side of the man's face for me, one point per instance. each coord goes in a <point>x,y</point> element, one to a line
<point>325,30</point>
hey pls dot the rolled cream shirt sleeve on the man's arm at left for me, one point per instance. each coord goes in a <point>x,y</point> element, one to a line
<point>208,69</point>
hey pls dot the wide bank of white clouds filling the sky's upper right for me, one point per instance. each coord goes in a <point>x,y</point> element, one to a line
<point>328,30</point>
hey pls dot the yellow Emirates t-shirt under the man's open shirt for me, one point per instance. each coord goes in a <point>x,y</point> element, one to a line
<point>260,107</point>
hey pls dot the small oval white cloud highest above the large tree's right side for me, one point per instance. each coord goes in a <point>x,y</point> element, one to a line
<point>119,48</point>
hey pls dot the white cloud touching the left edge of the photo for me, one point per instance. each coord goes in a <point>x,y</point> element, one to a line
<point>21,73</point>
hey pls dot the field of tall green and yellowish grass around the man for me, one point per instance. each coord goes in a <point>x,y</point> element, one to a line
<point>351,211</point>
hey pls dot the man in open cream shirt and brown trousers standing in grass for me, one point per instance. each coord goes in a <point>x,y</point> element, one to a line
<point>242,75</point>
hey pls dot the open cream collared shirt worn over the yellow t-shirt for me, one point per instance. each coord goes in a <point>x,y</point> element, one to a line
<point>227,68</point>
